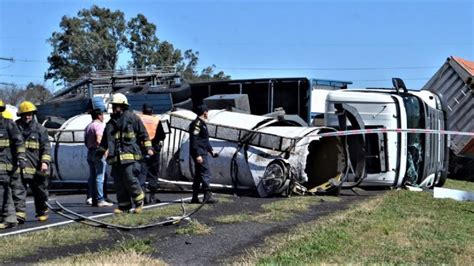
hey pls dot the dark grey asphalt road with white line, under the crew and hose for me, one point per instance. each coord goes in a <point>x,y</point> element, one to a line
<point>221,246</point>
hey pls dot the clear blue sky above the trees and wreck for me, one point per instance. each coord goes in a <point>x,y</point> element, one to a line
<point>366,42</point>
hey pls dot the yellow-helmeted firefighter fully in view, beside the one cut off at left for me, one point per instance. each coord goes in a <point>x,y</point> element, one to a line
<point>38,159</point>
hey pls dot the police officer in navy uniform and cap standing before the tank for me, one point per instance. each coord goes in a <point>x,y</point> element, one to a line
<point>199,148</point>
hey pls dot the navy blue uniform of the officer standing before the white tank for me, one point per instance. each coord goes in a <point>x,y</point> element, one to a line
<point>200,146</point>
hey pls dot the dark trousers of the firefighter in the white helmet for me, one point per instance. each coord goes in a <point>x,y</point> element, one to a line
<point>127,185</point>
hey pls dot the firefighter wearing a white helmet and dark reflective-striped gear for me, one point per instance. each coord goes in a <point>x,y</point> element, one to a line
<point>123,139</point>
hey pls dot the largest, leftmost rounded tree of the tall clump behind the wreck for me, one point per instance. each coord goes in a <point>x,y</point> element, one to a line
<point>92,40</point>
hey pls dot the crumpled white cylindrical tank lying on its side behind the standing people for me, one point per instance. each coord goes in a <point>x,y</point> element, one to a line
<point>266,154</point>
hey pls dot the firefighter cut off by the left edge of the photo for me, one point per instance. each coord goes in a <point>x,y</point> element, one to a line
<point>12,153</point>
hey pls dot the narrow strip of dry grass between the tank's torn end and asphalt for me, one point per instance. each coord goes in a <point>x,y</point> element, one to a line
<point>279,210</point>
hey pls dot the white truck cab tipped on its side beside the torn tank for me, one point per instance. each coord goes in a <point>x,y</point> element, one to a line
<point>390,158</point>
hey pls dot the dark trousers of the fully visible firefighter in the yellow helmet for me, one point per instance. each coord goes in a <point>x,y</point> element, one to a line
<point>39,187</point>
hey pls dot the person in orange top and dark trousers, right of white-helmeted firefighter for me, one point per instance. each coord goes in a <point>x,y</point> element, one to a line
<point>151,165</point>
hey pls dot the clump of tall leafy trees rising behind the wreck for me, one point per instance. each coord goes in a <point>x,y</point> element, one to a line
<point>93,39</point>
